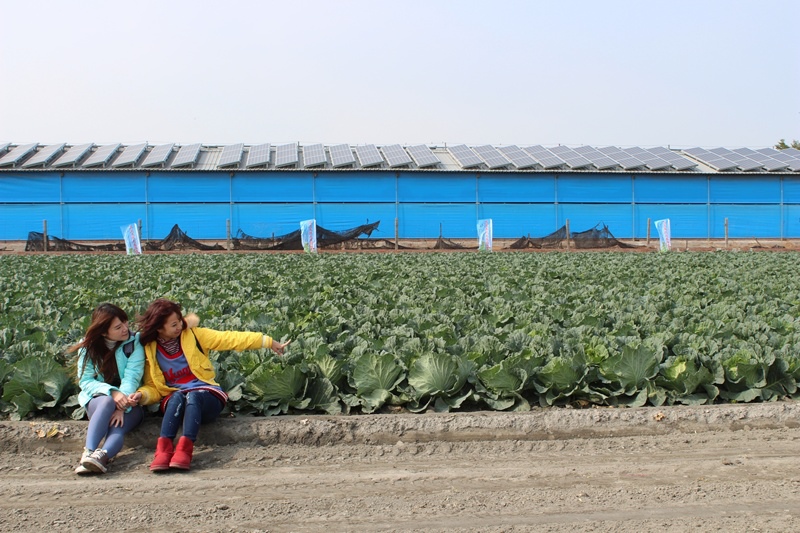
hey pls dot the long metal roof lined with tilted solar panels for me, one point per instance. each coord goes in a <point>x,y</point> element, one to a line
<point>33,157</point>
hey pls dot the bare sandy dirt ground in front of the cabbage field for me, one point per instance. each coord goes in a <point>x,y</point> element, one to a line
<point>711,468</point>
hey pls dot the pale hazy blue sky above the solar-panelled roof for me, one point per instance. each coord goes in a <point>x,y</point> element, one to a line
<point>677,73</point>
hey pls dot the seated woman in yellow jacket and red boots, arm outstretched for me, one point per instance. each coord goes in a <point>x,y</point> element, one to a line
<point>179,375</point>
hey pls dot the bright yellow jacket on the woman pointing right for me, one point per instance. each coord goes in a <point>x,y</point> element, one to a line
<point>192,340</point>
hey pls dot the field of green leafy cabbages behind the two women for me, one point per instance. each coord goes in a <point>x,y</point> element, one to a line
<point>442,331</point>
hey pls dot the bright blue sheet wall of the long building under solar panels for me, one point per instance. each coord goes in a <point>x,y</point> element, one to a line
<point>83,205</point>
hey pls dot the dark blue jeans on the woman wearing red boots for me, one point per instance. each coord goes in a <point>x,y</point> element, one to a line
<point>189,410</point>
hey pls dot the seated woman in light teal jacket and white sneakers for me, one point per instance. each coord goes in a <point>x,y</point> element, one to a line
<point>110,367</point>
